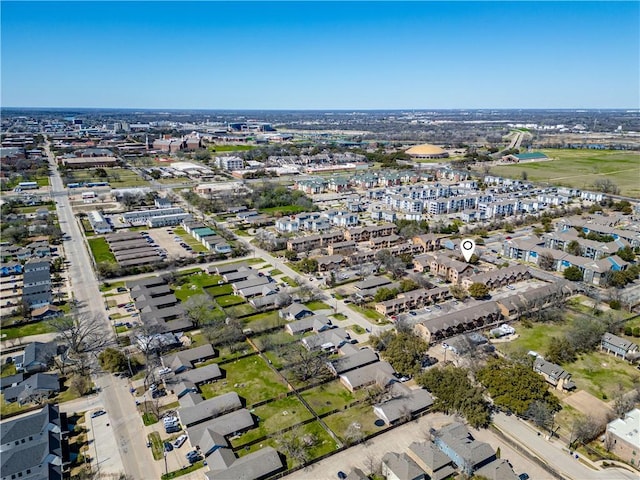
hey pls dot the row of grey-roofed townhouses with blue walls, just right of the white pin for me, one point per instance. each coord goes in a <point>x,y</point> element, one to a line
<point>593,271</point>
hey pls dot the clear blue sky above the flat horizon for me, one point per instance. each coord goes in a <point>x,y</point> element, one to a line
<point>320,55</point>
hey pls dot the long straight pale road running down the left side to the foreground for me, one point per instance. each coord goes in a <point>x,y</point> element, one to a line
<point>124,418</point>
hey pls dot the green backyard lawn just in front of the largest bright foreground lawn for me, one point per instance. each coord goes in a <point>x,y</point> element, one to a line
<point>273,417</point>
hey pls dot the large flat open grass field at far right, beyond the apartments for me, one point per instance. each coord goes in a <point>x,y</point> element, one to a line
<point>580,168</point>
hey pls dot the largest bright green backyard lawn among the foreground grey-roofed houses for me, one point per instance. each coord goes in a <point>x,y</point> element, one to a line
<point>250,377</point>
